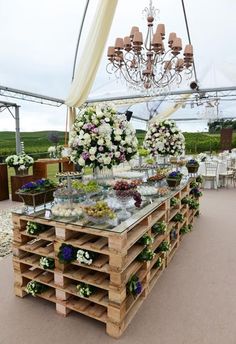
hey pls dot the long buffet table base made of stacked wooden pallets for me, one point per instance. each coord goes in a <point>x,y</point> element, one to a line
<point>117,247</point>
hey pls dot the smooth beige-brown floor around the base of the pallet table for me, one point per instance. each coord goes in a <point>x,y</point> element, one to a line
<point>194,302</point>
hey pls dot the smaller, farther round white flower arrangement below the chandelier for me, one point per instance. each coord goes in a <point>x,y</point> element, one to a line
<point>164,138</point>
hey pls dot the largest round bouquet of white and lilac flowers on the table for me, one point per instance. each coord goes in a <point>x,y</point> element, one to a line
<point>100,138</point>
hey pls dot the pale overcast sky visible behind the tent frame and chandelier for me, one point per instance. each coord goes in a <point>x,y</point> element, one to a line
<point>38,40</point>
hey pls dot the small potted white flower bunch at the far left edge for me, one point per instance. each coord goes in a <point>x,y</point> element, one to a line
<point>21,163</point>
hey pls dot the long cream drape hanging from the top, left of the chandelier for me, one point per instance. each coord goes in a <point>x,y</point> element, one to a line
<point>91,55</point>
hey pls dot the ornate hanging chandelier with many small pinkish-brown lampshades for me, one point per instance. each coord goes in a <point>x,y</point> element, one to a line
<point>147,65</point>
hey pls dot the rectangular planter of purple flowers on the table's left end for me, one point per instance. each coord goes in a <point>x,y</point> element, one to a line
<point>37,192</point>
